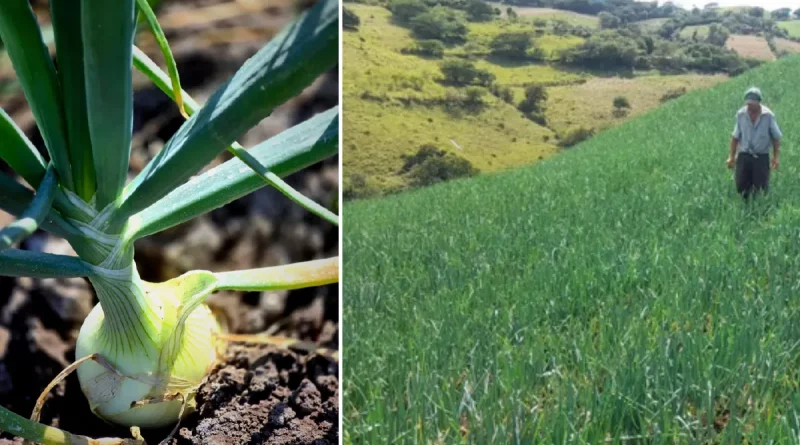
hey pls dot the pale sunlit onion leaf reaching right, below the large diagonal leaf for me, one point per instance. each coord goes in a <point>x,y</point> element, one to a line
<point>292,150</point>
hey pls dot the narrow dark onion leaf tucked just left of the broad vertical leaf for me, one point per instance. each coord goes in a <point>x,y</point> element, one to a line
<point>66,17</point>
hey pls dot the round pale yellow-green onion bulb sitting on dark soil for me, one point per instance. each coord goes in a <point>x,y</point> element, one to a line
<point>160,341</point>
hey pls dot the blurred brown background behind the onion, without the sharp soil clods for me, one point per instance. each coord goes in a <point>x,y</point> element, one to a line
<point>39,319</point>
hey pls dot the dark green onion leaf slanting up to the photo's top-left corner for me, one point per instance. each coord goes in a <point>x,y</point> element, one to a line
<point>23,40</point>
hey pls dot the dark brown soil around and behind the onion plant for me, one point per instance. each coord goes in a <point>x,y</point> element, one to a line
<point>259,394</point>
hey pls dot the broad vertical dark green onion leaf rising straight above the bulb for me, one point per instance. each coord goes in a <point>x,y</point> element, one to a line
<point>108,29</point>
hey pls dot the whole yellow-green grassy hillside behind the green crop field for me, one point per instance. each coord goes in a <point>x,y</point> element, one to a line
<point>394,101</point>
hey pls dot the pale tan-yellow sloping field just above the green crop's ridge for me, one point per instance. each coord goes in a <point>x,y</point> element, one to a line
<point>590,105</point>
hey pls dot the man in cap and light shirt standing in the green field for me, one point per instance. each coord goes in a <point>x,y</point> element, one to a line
<point>756,129</point>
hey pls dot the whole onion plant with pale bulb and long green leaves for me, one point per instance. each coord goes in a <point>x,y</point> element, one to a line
<point>144,349</point>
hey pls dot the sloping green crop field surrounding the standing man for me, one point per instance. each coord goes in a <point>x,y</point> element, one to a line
<point>619,292</point>
